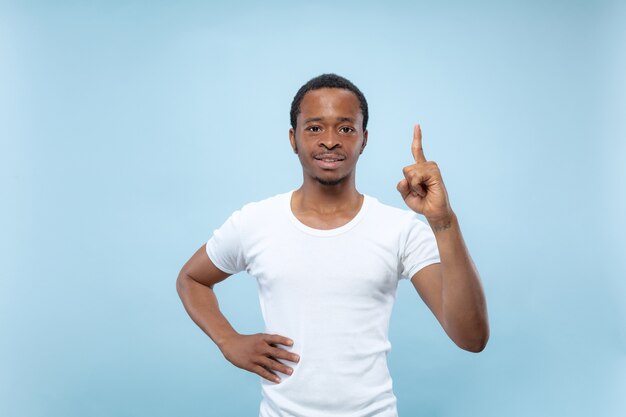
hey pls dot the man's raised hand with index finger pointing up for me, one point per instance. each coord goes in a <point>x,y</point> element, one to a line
<point>422,187</point>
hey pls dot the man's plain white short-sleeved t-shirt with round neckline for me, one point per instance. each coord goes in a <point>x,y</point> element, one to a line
<point>331,292</point>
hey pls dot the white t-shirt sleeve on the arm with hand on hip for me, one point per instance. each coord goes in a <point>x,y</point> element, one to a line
<point>224,248</point>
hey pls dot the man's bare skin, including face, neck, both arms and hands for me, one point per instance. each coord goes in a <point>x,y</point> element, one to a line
<point>328,139</point>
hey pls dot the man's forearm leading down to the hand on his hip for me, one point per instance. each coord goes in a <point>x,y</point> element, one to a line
<point>202,306</point>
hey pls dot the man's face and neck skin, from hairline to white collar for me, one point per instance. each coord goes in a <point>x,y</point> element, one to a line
<point>328,128</point>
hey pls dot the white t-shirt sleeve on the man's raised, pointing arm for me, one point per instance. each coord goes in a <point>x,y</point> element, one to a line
<point>419,249</point>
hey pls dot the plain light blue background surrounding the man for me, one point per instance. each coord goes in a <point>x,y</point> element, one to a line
<point>130,130</point>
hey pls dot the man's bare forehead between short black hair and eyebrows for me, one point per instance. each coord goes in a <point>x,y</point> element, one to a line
<point>330,102</point>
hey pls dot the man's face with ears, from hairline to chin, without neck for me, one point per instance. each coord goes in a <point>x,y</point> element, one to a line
<point>329,135</point>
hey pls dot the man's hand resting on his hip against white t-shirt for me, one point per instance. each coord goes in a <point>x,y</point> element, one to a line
<point>258,353</point>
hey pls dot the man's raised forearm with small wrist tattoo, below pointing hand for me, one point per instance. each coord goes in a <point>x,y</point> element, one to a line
<point>464,310</point>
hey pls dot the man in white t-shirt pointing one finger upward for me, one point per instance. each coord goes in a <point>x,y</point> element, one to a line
<point>327,260</point>
